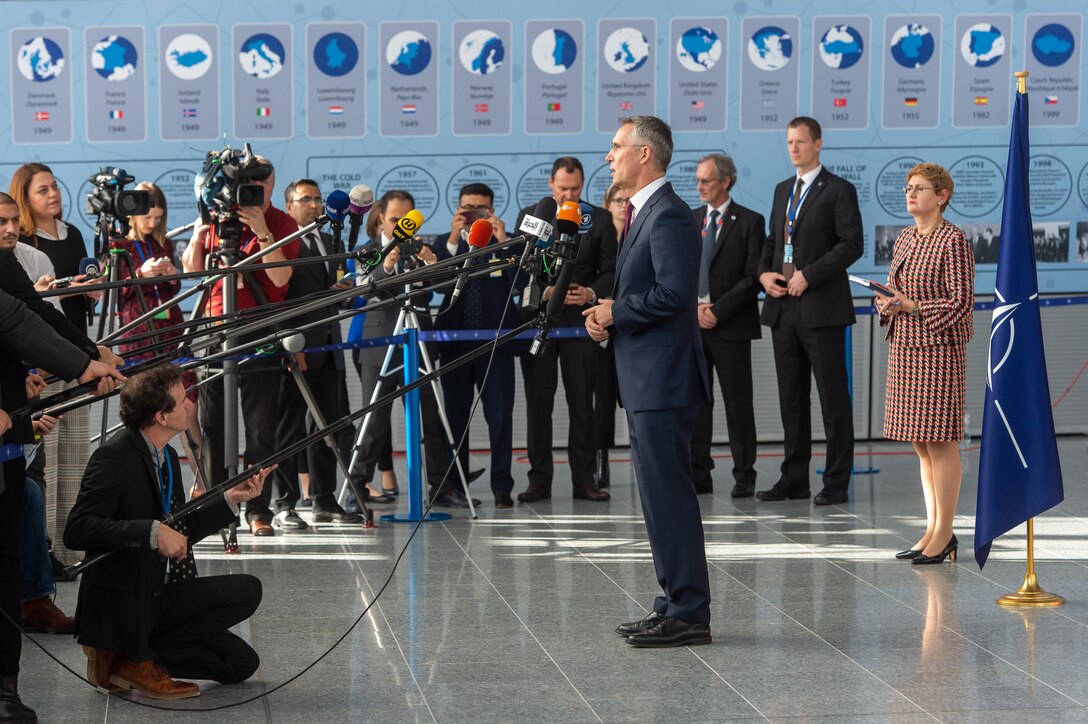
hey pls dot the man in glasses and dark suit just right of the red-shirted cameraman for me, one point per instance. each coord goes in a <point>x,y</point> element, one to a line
<point>324,373</point>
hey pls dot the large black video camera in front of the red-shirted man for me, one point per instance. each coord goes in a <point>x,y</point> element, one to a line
<point>228,182</point>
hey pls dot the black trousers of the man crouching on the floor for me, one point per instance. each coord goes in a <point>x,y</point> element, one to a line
<point>191,640</point>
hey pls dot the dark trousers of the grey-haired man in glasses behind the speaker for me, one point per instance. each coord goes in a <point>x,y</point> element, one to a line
<point>733,361</point>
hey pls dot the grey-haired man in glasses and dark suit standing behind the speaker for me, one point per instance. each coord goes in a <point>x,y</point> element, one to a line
<point>733,240</point>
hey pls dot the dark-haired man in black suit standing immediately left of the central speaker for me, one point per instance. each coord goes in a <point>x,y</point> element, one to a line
<point>578,359</point>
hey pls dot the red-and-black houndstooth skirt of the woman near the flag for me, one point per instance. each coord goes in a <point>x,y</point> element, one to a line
<point>926,394</point>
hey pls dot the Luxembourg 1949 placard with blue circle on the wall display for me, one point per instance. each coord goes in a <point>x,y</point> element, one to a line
<point>336,80</point>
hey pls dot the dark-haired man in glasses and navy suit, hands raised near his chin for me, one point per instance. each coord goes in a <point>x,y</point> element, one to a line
<point>485,303</point>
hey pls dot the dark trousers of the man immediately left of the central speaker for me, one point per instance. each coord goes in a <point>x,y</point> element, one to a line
<point>578,360</point>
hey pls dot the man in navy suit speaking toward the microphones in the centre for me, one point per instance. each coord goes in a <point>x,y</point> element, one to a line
<point>652,322</point>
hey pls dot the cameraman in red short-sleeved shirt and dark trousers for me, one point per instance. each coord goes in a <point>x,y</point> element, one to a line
<point>259,383</point>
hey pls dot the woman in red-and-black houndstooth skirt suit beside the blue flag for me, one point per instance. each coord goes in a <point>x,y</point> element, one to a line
<point>930,325</point>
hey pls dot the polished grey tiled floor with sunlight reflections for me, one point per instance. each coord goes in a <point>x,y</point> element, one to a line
<point>510,618</point>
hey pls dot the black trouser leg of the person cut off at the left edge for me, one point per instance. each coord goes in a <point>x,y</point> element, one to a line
<point>11,510</point>
